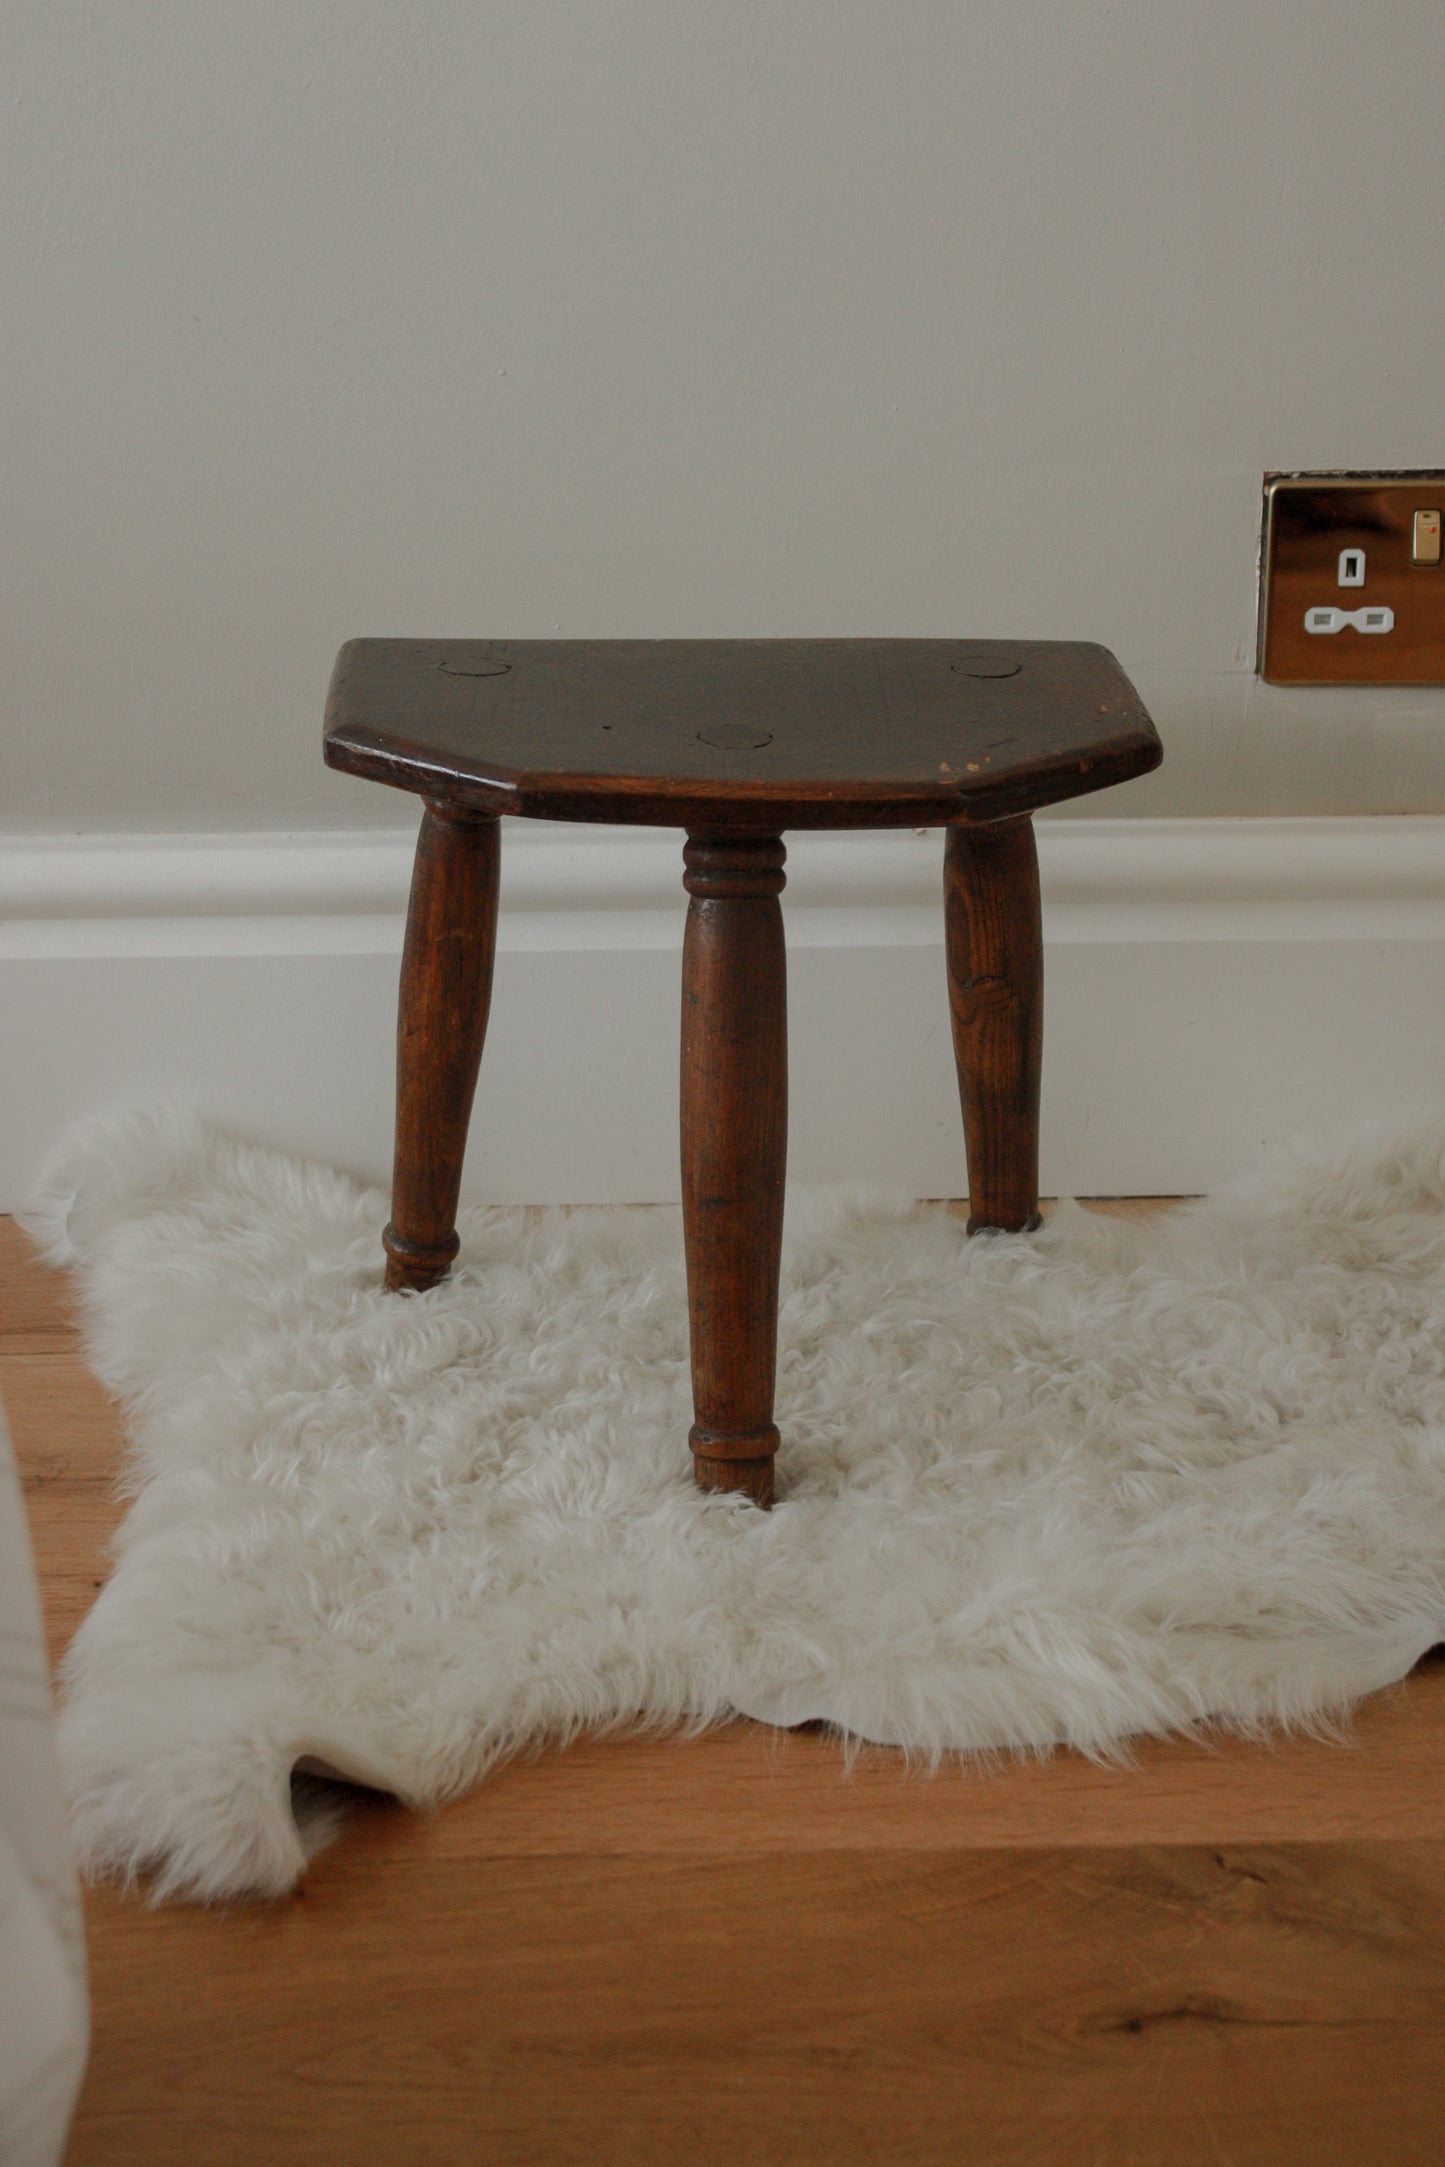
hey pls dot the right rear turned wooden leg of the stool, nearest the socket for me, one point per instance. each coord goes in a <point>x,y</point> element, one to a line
<point>998,1004</point>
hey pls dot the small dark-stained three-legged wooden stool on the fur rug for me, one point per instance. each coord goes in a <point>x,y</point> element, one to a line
<point>731,740</point>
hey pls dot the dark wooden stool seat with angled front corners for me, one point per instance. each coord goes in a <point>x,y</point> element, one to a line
<point>746,734</point>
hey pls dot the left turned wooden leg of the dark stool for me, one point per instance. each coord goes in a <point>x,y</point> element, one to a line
<point>441,1026</point>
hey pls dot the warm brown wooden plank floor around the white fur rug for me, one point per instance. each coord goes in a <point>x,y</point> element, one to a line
<point>735,1951</point>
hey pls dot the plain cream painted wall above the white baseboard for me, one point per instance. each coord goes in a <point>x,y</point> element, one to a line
<point>653,317</point>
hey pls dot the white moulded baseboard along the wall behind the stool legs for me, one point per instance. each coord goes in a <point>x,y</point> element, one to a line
<point>1210,985</point>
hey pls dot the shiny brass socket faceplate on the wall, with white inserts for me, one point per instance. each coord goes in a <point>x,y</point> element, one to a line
<point>1314,528</point>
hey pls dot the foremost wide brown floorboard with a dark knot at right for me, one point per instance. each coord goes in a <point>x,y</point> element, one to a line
<point>1162,2006</point>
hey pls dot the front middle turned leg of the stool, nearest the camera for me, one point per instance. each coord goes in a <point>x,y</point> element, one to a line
<point>735,1137</point>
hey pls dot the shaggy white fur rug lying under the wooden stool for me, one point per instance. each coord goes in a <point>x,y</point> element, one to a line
<point>1045,1490</point>
